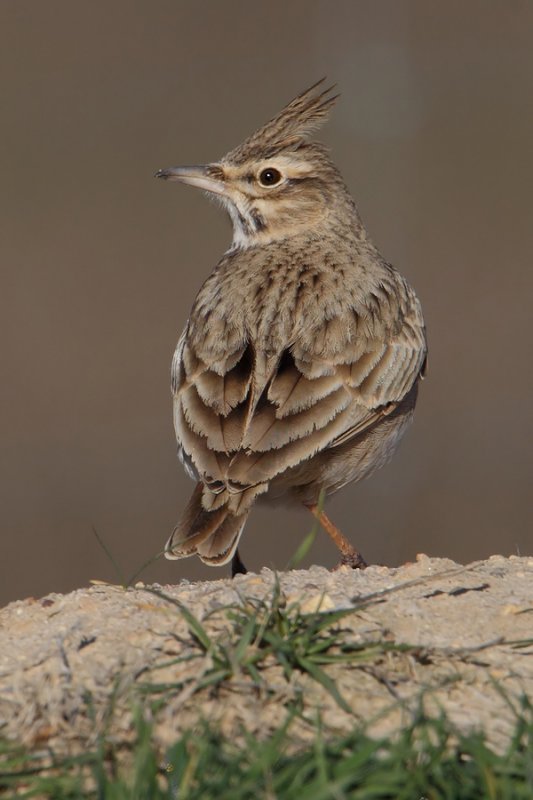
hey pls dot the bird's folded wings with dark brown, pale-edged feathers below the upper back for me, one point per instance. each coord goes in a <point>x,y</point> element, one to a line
<point>244,417</point>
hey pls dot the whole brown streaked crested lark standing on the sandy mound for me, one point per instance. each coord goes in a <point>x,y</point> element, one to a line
<point>297,372</point>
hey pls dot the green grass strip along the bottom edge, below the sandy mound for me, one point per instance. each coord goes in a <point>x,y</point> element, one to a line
<point>429,759</point>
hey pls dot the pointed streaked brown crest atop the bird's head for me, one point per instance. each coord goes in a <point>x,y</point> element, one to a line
<point>288,129</point>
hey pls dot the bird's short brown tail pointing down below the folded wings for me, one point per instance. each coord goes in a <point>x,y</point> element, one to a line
<point>212,535</point>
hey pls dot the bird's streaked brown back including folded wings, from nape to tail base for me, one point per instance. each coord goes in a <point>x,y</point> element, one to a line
<point>290,351</point>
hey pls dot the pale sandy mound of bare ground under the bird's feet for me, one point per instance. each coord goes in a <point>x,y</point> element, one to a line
<point>71,664</point>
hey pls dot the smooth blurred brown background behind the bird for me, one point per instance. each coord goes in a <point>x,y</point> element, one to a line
<point>100,262</point>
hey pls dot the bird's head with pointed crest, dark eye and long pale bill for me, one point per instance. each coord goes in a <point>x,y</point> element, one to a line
<point>277,183</point>
